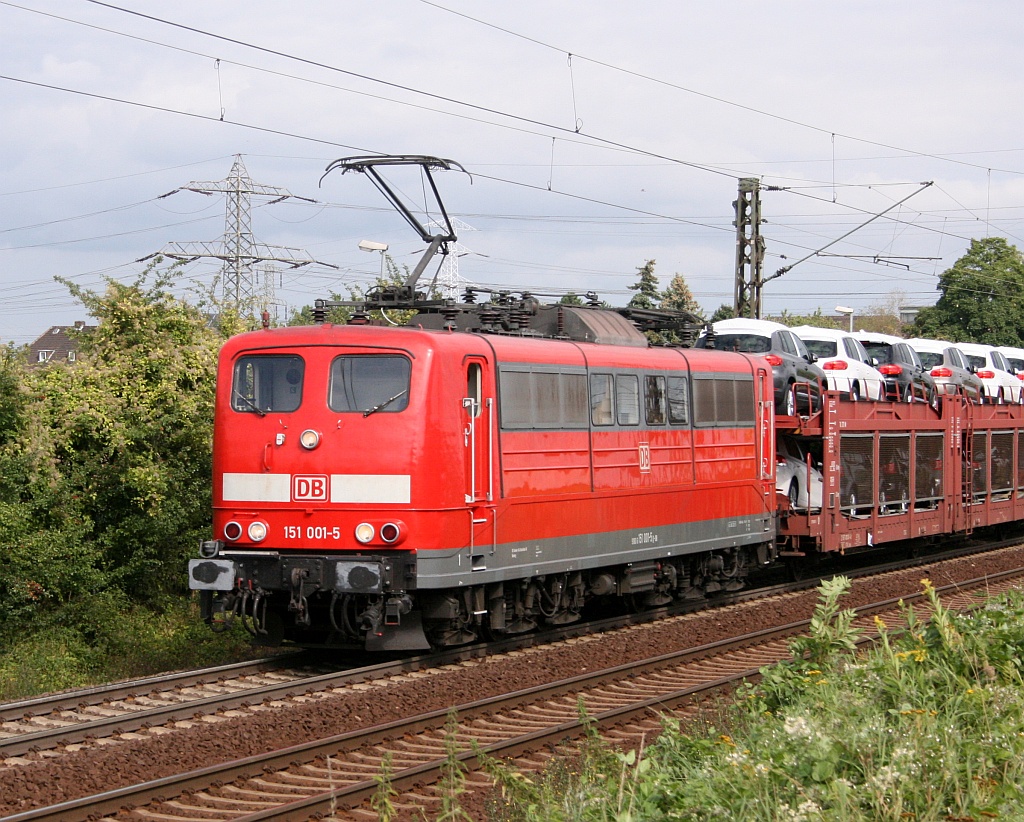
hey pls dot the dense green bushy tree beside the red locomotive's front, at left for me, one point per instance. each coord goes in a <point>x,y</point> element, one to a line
<point>107,485</point>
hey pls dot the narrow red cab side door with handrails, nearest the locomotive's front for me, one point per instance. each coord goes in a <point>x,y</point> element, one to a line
<point>480,424</point>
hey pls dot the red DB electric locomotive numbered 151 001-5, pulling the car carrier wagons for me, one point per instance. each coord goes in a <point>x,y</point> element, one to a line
<point>402,488</point>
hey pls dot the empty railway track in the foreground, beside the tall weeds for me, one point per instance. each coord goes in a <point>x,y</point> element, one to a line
<point>338,772</point>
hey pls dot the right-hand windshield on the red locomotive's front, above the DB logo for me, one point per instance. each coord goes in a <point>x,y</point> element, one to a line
<point>369,383</point>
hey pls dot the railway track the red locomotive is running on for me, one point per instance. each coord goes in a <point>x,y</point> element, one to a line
<point>132,709</point>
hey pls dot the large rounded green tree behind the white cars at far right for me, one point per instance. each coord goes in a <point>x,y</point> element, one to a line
<point>982,297</point>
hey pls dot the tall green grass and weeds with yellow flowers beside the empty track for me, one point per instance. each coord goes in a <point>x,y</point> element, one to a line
<point>929,725</point>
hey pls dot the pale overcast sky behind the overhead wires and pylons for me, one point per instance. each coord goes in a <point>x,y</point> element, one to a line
<point>598,135</point>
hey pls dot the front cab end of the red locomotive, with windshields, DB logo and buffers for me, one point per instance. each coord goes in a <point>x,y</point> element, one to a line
<point>327,484</point>
